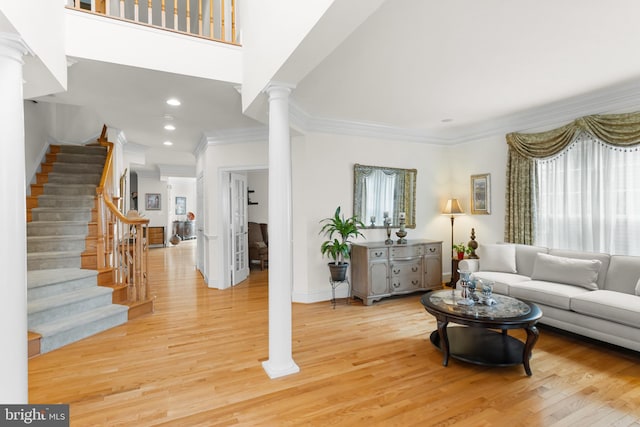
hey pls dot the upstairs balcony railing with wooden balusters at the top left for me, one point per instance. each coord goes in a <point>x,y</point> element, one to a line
<point>210,19</point>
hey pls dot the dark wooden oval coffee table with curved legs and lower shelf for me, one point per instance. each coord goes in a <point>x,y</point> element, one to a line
<point>481,342</point>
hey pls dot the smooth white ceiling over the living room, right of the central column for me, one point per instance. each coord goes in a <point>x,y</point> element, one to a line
<point>415,63</point>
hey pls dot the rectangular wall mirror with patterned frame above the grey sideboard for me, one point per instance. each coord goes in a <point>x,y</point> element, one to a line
<point>380,191</point>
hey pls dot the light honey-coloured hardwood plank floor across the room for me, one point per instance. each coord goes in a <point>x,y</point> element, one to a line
<point>197,361</point>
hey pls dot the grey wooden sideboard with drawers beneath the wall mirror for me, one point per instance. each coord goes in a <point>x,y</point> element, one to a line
<point>379,270</point>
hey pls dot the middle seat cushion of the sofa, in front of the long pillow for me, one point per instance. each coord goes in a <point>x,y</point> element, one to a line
<point>548,293</point>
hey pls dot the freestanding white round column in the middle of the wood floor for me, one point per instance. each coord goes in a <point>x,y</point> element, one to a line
<point>280,361</point>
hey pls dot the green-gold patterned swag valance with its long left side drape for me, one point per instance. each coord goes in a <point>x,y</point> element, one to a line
<point>524,148</point>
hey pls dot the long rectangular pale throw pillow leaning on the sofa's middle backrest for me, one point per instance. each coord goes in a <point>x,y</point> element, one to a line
<point>570,271</point>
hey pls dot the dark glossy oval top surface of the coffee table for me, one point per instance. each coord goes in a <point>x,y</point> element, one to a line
<point>451,301</point>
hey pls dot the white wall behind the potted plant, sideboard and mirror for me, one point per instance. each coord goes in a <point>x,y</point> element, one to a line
<point>323,179</point>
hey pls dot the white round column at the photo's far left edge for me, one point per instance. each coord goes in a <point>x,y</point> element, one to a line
<point>13,249</point>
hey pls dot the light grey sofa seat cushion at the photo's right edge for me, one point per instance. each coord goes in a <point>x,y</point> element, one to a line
<point>609,305</point>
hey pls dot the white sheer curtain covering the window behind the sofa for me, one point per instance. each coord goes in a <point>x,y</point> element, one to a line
<point>589,198</point>
